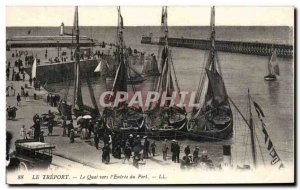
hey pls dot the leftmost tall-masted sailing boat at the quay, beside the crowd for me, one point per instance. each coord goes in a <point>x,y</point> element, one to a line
<point>79,108</point>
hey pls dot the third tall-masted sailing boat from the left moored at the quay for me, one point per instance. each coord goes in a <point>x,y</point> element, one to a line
<point>168,121</point>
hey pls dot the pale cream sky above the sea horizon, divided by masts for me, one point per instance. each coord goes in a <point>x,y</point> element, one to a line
<point>149,16</point>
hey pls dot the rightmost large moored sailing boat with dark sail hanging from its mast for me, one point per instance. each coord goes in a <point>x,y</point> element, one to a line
<point>213,120</point>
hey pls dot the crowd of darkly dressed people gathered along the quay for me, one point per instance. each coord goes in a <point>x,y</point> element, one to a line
<point>126,147</point>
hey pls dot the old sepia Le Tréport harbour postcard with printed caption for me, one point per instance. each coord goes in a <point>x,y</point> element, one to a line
<point>150,95</point>
